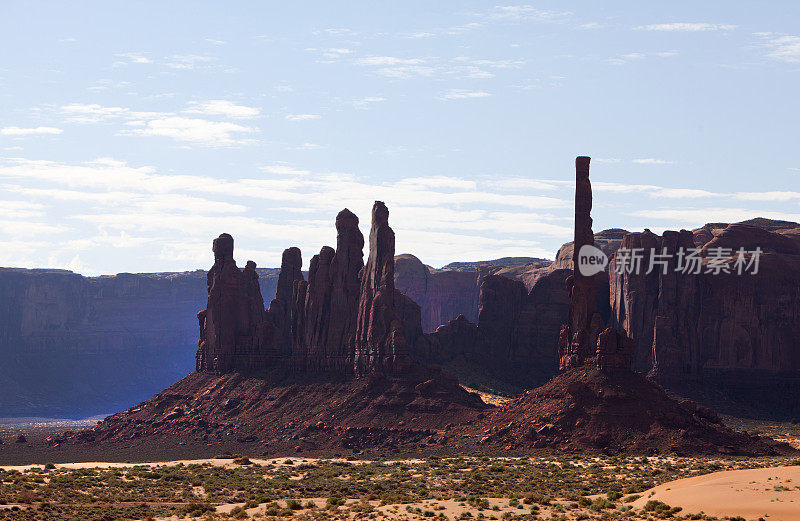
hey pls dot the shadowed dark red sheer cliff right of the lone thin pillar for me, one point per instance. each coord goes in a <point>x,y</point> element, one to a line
<point>695,324</point>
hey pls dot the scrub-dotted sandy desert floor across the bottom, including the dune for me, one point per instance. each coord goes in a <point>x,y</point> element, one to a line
<point>571,488</point>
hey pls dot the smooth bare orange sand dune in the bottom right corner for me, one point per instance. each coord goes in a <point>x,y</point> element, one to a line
<point>771,493</point>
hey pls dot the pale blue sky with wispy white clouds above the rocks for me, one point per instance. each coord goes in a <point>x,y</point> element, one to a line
<point>133,133</point>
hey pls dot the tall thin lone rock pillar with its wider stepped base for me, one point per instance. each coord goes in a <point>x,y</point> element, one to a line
<point>585,339</point>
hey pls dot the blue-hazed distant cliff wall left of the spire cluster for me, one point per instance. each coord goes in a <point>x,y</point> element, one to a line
<point>71,345</point>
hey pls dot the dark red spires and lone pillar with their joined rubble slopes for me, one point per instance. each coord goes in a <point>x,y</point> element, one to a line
<point>329,364</point>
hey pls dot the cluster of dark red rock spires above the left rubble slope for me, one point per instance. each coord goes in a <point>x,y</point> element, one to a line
<point>346,318</point>
